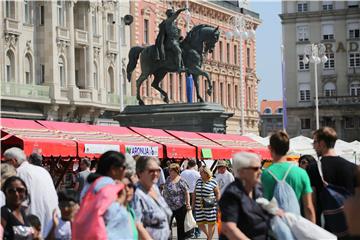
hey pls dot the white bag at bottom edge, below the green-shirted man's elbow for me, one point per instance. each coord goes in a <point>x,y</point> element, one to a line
<point>304,229</point>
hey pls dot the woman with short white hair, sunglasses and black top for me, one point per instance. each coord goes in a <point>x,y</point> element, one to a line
<point>241,216</point>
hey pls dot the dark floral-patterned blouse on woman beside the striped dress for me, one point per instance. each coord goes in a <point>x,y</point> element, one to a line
<point>174,193</point>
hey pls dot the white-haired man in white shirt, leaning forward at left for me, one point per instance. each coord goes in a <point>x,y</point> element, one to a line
<point>43,196</point>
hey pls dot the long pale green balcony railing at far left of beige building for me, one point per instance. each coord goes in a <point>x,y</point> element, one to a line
<point>24,91</point>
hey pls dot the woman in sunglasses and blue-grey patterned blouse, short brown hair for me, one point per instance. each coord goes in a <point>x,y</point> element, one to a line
<point>150,207</point>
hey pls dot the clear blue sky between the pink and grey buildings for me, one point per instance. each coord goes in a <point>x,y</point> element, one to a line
<point>268,53</point>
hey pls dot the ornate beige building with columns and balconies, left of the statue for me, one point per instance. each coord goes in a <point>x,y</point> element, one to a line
<point>64,60</point>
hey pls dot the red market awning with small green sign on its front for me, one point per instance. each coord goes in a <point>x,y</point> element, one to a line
<point>206,149</point>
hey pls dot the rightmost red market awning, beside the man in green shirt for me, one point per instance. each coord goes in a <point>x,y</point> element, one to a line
<point>239,143</point>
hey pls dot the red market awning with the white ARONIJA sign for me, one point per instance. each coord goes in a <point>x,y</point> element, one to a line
<point>131,142</point>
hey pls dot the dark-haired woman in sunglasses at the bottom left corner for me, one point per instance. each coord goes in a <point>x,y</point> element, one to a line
<point>13,216</point>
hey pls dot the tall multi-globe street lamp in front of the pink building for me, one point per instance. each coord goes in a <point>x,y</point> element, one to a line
<point>240,30</point>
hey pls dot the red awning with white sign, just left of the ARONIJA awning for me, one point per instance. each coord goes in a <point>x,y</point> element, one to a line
<point>91,143</point>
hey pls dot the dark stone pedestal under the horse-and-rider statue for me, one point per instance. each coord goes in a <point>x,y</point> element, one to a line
<point>194,117</point>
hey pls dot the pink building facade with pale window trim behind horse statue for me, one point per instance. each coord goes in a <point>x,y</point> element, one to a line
<point>222,65</point>
